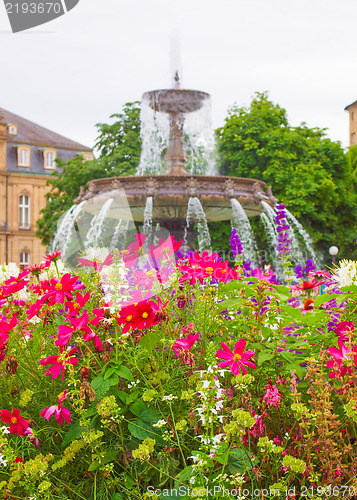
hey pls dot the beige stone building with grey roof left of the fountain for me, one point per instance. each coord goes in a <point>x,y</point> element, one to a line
<point>27,157</point>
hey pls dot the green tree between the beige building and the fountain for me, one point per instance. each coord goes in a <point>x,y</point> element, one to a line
<point>118,145</point>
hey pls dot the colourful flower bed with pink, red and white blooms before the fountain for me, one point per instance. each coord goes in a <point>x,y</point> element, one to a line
<point>138,377</point>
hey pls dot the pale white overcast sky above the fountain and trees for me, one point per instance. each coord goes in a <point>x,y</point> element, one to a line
<point>79,69</point>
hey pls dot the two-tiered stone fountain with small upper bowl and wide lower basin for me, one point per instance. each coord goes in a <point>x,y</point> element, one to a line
<point>177,200</point>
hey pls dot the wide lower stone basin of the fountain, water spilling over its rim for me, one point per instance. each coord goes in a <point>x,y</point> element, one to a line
<point>171,195</point>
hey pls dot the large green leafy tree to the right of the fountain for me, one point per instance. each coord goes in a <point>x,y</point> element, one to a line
<point>308,172</point>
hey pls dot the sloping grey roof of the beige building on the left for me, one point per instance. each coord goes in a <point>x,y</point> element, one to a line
<point>30,133</point>
